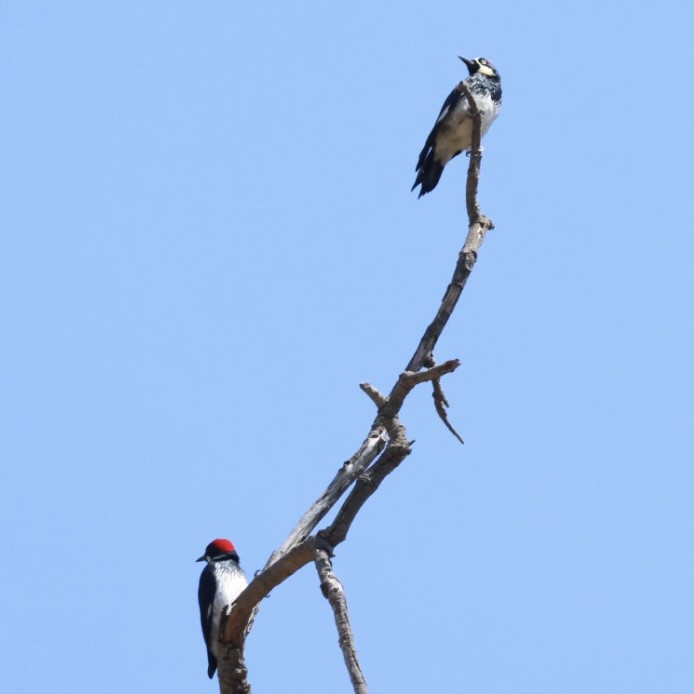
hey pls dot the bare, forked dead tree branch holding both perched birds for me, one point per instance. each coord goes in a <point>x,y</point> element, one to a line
<point>384,448</point>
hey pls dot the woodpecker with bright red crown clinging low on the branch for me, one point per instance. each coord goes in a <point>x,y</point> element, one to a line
<point>221,582</point>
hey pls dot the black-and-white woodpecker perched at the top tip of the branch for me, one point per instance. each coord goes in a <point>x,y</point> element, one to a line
<point>452,132</point>
